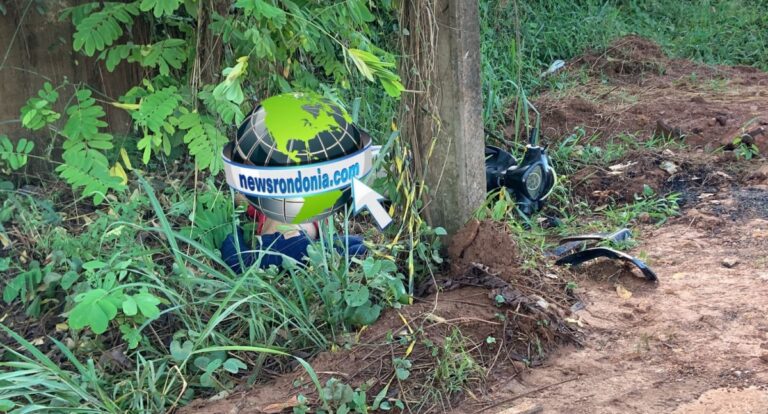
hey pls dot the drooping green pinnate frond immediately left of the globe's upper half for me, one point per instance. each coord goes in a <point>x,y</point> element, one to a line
<point>204,140</point>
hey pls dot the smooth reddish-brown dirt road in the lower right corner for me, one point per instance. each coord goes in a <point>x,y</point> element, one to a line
<point>697,343</point>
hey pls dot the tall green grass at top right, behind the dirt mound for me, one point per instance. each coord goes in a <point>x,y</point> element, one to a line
<point>520,39</point>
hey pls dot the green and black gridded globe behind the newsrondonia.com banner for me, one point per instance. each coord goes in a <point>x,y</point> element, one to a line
<point>296,129</point>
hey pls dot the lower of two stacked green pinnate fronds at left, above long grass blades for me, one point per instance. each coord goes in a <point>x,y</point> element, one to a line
<point>88,168</point>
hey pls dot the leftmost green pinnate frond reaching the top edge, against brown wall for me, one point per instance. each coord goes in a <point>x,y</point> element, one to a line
<point>100,29</point>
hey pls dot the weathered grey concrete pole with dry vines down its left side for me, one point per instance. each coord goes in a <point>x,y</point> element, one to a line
<point>450,107</point>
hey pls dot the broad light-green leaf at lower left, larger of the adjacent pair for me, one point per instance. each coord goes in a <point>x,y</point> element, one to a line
<point>94,309</point>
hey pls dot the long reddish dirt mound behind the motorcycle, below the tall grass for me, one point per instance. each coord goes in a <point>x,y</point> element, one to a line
<point>632,87</point>
